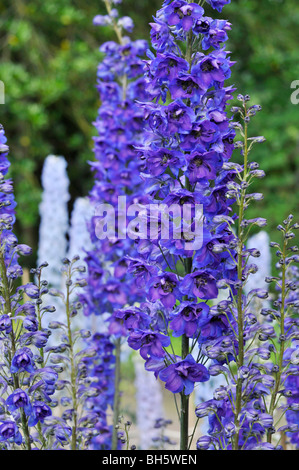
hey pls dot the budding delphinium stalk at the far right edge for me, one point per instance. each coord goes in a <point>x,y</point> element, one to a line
<point>285,361</point>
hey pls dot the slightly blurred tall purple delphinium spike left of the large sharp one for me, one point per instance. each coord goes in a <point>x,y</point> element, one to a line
<point>119,126</point>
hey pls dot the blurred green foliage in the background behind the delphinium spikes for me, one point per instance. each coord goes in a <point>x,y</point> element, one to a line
<point>49,56</point>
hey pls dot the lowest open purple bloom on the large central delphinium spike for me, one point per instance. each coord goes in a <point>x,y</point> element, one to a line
<point>182,376</point>
